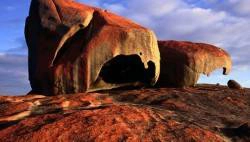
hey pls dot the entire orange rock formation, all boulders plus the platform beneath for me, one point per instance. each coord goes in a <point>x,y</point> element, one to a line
<point>77,48</point>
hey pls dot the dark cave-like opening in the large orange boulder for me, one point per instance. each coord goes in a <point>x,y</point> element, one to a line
<point>127,69</point>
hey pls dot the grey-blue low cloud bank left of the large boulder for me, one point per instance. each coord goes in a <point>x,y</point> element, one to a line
<point>14,75</point>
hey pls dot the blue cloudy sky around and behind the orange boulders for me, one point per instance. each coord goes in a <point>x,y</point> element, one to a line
<point>220,22</point>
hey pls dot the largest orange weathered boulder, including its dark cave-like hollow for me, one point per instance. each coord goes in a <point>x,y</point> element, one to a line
<point>77,48</point>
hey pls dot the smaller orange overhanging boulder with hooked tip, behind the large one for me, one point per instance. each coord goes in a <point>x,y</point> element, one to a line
<point>183,62</point>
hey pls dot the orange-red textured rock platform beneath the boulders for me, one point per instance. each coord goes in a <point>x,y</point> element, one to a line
<point>204,113</point>
